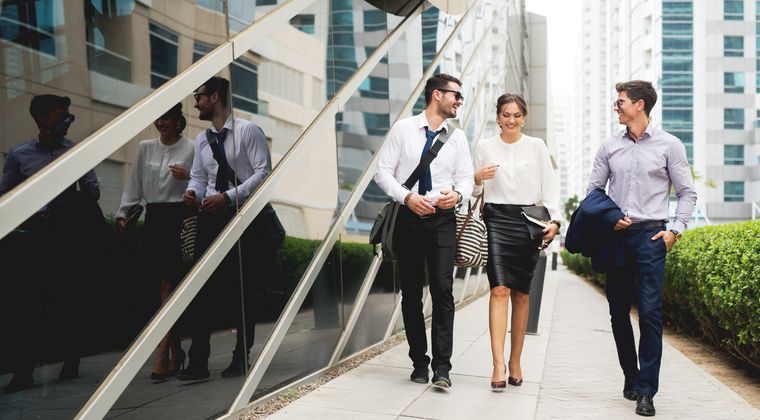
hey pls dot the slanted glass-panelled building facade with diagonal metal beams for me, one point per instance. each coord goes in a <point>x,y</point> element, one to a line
<point>99,317</point>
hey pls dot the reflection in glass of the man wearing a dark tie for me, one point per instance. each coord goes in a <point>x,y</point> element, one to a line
<point>231,160</point>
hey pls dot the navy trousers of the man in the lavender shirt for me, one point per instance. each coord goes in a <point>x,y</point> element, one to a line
<point>644,263</point>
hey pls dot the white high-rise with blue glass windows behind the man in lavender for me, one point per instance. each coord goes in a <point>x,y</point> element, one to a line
<point>699,57</point>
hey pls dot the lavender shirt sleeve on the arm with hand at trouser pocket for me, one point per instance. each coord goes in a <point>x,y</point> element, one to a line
<point>683,182</point>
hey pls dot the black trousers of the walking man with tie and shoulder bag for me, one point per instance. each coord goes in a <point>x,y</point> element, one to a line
<point>427,243</point>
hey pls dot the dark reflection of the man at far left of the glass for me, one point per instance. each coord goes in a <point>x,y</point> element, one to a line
<point>45,282</point>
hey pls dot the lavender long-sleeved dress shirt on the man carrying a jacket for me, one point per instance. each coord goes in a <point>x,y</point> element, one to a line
<point>641,173</point>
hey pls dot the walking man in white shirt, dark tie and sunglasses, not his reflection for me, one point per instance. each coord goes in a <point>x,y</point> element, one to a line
<point>426,224</point>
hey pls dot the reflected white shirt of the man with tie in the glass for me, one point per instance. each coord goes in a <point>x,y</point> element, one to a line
<point>247,153</point>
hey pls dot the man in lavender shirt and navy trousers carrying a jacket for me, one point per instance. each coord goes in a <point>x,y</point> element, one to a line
<point>642,162</point>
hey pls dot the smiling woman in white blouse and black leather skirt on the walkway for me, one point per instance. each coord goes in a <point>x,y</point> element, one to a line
<point>512,170</point>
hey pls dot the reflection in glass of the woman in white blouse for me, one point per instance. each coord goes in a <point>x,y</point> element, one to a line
<point>160,176</point>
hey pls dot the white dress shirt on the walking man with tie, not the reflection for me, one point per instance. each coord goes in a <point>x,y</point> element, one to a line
<point>451,169</point>
